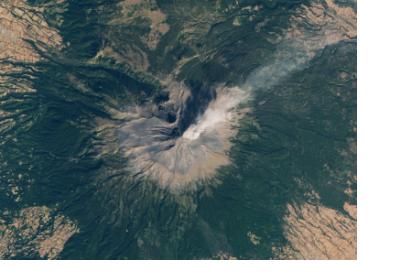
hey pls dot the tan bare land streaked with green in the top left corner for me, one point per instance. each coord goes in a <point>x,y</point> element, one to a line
<point>20,23</point>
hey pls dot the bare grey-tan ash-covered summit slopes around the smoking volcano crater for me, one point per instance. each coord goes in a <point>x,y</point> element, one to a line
<point>145,141</point>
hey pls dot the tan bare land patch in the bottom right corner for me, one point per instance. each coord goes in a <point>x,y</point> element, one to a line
<point>319,232</point>
